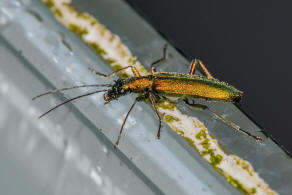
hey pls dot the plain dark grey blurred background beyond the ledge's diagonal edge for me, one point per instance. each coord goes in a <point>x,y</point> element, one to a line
<point>245,43</point>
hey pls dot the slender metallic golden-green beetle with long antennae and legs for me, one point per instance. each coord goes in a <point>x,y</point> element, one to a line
<point>163,85</point>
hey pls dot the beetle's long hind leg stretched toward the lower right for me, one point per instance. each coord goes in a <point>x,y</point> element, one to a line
<point>226,121</point>
